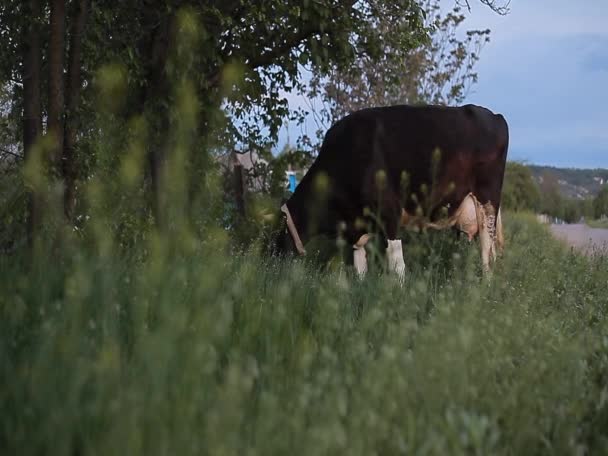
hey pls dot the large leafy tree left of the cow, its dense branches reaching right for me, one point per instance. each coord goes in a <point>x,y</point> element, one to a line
<point>247,56</point>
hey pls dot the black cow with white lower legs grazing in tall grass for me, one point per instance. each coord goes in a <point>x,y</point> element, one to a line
<point>383,168</point>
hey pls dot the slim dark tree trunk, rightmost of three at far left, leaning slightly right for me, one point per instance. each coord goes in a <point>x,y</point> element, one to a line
<point>68,161</point>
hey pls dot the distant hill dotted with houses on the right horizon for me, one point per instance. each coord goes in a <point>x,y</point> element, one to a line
<point>573,182</point>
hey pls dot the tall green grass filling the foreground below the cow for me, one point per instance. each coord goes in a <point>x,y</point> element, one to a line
<point>200,352</point>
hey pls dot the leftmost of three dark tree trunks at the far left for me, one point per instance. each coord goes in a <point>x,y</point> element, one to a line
<point>31,106</point>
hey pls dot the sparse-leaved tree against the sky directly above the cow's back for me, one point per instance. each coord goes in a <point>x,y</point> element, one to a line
<point>438,70</point>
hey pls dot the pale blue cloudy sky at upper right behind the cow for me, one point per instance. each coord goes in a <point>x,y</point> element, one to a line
<point>546,70</point>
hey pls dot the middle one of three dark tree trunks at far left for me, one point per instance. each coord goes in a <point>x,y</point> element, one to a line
<point>56,88</point>
